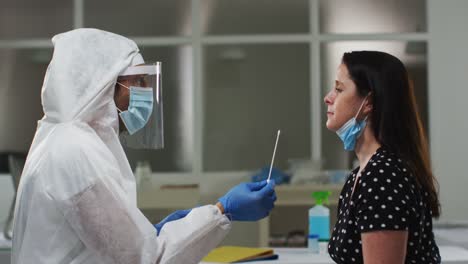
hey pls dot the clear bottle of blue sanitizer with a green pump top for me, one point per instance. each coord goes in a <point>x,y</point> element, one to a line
<point>319,216</point>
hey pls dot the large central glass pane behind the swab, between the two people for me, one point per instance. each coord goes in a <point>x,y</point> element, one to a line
<point>251,91</point>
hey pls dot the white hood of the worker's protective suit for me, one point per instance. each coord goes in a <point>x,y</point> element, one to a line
<point>80,79</point>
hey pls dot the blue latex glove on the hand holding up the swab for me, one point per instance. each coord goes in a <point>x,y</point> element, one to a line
<point>250,201</point>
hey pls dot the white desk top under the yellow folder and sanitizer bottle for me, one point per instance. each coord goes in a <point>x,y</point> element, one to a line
<point>450,255</point>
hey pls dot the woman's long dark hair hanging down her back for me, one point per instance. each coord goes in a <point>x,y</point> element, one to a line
<point>394,119</point>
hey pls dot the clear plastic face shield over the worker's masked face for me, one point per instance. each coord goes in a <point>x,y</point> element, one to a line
<point>144,116</point>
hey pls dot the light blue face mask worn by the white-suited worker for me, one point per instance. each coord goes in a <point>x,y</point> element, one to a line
<point>139,109</point>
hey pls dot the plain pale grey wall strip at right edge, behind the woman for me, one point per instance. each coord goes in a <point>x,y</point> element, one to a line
<point>448,84</point>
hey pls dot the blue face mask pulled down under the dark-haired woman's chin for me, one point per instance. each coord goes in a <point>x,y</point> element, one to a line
<point>351,130</point>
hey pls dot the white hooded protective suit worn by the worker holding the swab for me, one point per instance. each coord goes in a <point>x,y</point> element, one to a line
<point>76,201</point>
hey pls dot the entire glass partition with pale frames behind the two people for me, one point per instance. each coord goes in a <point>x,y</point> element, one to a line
<point>227,86</point>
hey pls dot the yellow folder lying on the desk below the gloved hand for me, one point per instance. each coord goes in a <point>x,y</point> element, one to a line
<point>232,254</point>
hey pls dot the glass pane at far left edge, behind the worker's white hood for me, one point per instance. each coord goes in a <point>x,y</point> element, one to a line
<point>20,95</point>
